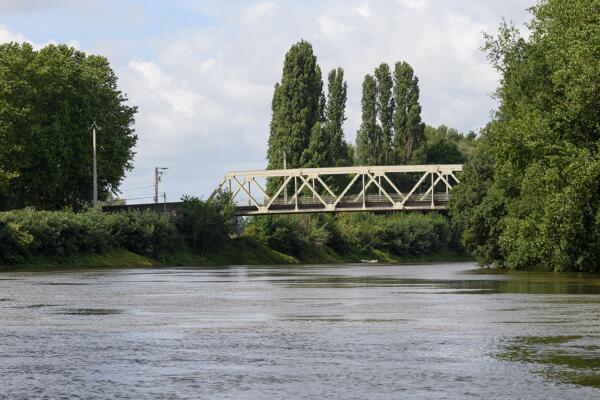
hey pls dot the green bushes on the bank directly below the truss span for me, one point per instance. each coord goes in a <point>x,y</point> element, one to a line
<point>411,234</point>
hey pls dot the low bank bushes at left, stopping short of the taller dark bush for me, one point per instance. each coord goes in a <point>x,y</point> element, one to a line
<point>27,234</point>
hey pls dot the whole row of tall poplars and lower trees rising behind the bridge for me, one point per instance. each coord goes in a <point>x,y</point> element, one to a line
<point>306,127</point>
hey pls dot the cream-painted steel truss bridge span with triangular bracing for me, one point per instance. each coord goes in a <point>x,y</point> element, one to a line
<point>342,189</point>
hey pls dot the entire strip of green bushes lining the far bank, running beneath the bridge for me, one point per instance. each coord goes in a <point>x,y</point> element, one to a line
<point>207,232</point>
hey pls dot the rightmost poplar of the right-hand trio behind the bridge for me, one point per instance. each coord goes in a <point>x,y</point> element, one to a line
<point>408,127</point>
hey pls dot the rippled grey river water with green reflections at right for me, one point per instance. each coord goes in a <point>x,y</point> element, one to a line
<point>431,331</point>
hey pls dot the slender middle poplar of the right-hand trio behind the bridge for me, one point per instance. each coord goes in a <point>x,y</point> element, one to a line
<point>385,112</point>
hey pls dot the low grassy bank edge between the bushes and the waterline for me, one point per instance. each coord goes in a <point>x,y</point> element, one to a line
<point>240,251</point>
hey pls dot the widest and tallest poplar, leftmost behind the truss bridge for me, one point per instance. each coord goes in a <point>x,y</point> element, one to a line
<point>297,106</point>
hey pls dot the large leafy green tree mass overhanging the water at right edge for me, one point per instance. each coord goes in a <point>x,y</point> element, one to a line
<point>531,192</point>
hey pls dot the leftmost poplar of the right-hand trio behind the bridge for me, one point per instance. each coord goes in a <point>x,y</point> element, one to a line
<point>369,136</point>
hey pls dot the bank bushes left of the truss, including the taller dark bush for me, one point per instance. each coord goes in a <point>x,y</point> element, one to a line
<point>56,235</point>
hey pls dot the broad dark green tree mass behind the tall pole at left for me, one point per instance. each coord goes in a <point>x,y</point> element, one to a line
<point>48,100</point>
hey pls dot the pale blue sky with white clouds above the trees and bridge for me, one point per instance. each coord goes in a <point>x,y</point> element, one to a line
<point>202,72</point>
